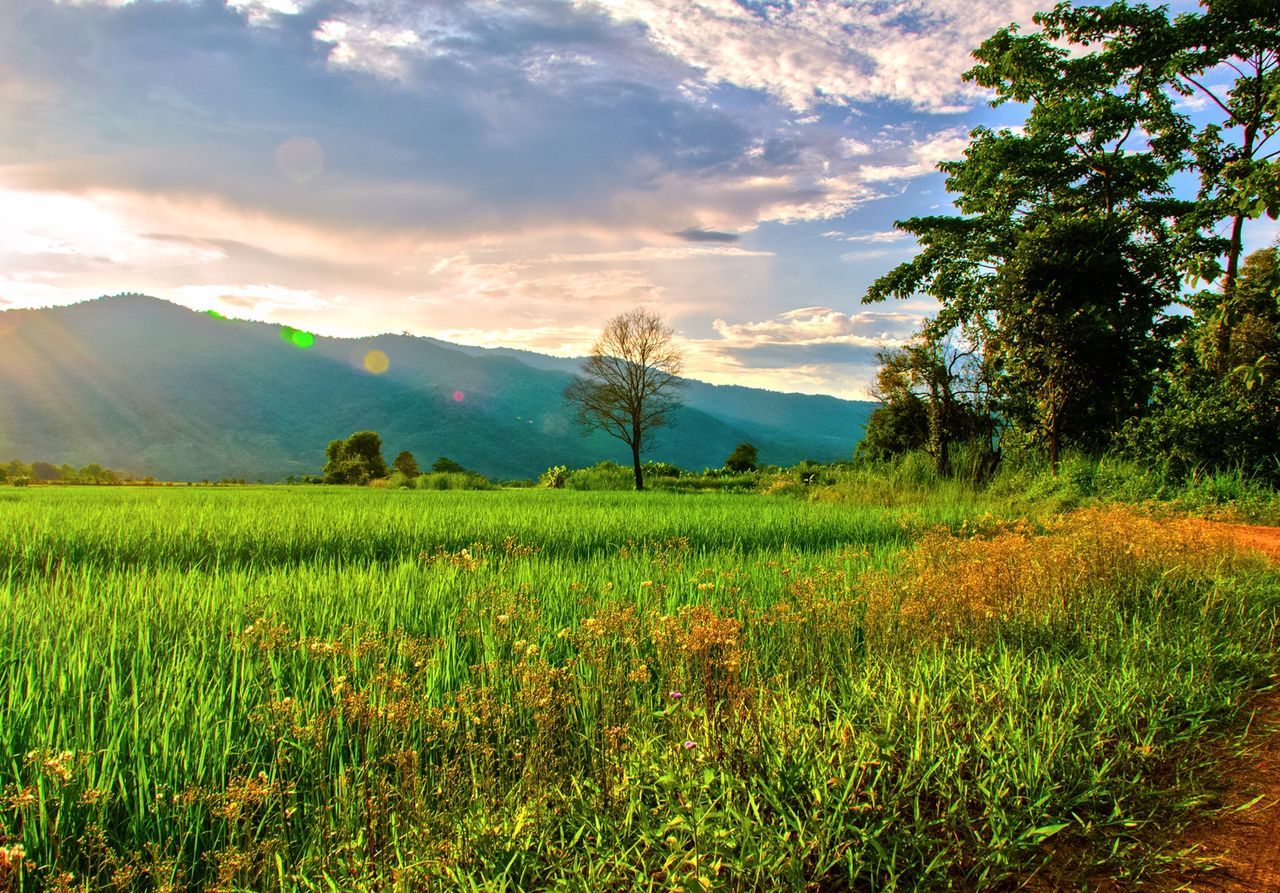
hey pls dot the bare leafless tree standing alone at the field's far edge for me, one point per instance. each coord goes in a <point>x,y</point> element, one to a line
<point>629,386</point>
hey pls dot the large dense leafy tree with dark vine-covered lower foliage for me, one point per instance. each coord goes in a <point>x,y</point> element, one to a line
<point>1077,195</point>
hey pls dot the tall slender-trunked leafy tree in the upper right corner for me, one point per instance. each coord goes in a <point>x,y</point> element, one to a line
<point>1238,172</point>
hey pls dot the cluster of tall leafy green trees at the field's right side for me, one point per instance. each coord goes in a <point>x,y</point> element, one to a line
<point>1084,303</point>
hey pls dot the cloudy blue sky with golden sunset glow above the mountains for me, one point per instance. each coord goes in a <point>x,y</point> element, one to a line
<point>495,172</point>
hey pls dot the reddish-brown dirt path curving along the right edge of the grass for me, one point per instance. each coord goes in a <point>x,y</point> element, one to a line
<point>1238,851</point>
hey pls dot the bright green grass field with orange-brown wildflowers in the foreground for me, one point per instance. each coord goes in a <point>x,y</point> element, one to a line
<point>340,689</point>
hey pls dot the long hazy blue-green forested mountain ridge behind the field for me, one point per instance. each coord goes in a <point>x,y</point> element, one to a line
<point>149,387</point>
